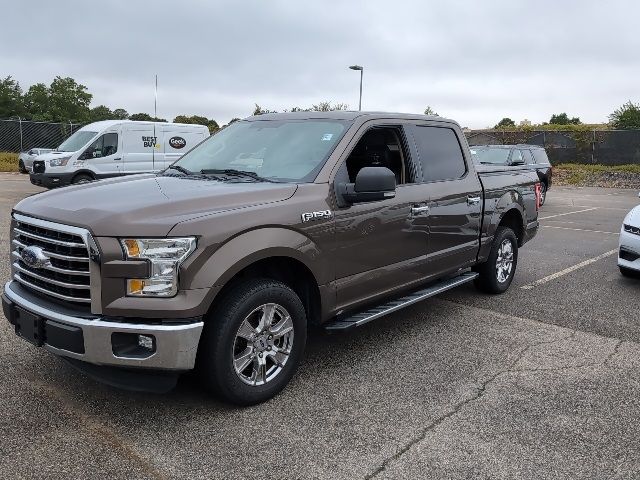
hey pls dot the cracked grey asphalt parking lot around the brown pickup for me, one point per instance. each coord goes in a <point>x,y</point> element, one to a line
<point>541,382</point>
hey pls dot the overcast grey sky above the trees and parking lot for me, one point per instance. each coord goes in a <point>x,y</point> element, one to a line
<point>472,61</point>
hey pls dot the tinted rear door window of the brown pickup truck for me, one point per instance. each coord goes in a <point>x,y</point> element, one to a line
<point>440,153</point>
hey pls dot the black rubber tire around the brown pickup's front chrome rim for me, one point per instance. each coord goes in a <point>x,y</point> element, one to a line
<point>215,362</point>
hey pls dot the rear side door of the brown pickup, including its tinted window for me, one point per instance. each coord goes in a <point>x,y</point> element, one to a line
<point>455,198</point>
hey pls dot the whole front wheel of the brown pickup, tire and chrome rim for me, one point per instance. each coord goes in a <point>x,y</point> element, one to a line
<point>223,350</point>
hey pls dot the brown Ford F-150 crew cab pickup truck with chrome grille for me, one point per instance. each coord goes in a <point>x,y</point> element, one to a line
<point>221,262</point>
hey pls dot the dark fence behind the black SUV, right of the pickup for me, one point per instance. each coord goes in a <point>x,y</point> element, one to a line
<point>605,147</point>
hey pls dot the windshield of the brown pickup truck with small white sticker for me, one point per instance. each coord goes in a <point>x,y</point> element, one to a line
<point>277,150</point>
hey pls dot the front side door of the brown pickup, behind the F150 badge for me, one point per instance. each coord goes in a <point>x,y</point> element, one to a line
<point>383,244</point>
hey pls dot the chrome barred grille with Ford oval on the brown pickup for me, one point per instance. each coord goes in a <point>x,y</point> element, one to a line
<point>62,268</point>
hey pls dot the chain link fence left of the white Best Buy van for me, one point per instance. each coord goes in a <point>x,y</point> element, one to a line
<point>17,135</point>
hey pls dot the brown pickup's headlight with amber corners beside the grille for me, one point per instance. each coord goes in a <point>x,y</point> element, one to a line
<point>165,256</point>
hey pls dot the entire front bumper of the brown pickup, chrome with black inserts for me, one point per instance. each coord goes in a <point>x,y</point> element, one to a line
<point>98,340</point>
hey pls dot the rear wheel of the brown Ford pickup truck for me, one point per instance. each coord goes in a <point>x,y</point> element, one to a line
<point>497,272</point>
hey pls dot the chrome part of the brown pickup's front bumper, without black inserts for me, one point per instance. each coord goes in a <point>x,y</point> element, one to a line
<point>175,345</point>
